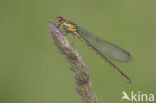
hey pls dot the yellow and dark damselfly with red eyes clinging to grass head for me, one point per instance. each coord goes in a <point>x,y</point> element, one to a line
<point>101,47</point>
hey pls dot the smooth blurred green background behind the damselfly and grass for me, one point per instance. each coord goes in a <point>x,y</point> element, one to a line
<point>32,70</point>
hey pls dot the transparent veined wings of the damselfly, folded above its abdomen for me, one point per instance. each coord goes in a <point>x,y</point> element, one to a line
<point>107,49</point>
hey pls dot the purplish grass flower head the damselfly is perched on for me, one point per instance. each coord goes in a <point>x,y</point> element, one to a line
<point>77,65</point>
